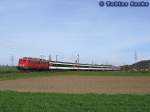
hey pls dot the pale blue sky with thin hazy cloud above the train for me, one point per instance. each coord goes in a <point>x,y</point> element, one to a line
<point>31,28</point>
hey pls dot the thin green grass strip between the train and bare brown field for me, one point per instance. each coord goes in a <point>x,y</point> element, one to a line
<point>16,75</point>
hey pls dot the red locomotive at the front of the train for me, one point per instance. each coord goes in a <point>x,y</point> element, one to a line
<point>28,63</point>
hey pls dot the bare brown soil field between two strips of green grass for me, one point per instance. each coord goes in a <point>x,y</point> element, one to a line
<point>80,84</point>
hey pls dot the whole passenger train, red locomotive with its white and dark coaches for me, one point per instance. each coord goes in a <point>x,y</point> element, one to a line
<point>28,63</point>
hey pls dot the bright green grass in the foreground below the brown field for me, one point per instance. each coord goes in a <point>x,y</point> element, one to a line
<point>53,102</point>
